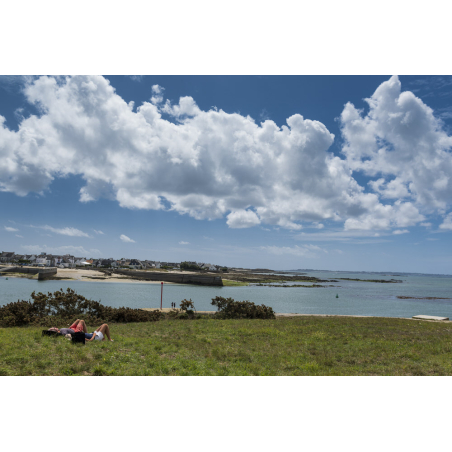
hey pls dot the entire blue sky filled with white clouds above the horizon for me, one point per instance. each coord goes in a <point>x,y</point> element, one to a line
<point>281,172</point>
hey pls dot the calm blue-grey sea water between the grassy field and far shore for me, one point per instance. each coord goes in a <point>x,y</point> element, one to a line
<point>355,298</point>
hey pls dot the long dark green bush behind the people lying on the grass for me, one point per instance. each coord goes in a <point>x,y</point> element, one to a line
<point>63,307</point>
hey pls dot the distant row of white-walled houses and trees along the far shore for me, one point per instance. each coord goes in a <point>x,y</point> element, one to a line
<point>69,261</point>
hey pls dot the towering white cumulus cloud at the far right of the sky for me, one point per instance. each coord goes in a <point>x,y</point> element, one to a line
<point>401,139</point>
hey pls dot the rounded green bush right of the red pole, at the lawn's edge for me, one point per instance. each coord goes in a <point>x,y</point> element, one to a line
<point>228,308</point>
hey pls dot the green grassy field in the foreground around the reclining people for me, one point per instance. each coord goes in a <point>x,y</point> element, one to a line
<point>285,346</point>
